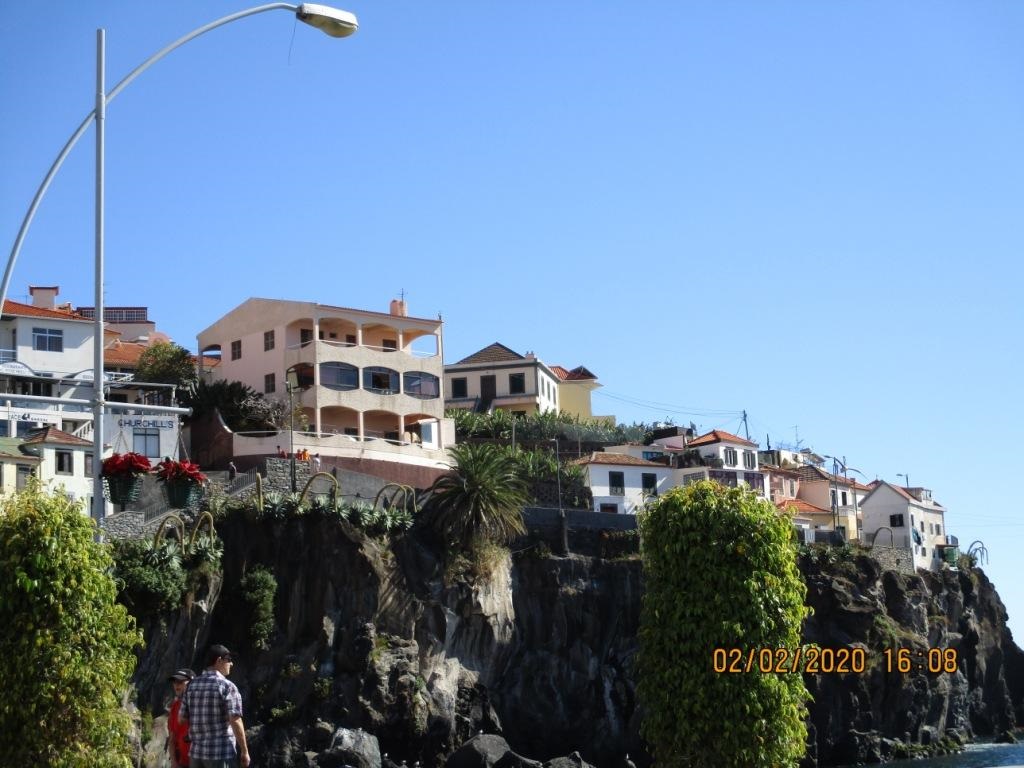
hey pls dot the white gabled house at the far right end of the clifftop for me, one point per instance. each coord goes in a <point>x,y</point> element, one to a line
<point>906,519</point>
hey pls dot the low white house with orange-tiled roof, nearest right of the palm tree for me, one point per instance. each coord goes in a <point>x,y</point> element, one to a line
<point>622,484</point>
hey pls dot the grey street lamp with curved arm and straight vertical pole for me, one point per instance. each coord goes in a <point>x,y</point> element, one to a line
<point>332,22</point>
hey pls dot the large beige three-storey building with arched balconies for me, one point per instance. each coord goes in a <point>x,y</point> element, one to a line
<point>372,381</point>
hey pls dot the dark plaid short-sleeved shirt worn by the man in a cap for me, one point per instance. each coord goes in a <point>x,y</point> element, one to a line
<point>209,702</point>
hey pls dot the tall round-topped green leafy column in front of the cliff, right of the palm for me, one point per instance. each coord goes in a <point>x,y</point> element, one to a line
<point>720,572</point>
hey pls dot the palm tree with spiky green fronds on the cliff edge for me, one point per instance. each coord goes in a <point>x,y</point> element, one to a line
<point>482,498</point>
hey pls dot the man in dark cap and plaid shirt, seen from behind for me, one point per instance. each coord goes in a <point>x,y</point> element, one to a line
<point>212,706</point>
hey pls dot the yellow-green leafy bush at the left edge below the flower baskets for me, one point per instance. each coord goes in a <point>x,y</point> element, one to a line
<point>66,645</point>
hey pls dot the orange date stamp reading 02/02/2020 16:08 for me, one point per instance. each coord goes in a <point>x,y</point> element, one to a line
<point>814,660</point>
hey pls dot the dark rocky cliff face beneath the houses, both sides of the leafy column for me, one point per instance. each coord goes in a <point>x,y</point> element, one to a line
<point>370,636</point>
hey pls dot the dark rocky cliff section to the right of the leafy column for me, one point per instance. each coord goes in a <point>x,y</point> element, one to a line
<point>882,713</point>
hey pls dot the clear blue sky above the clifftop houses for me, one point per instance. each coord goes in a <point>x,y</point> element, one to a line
<point>809,211</point>
